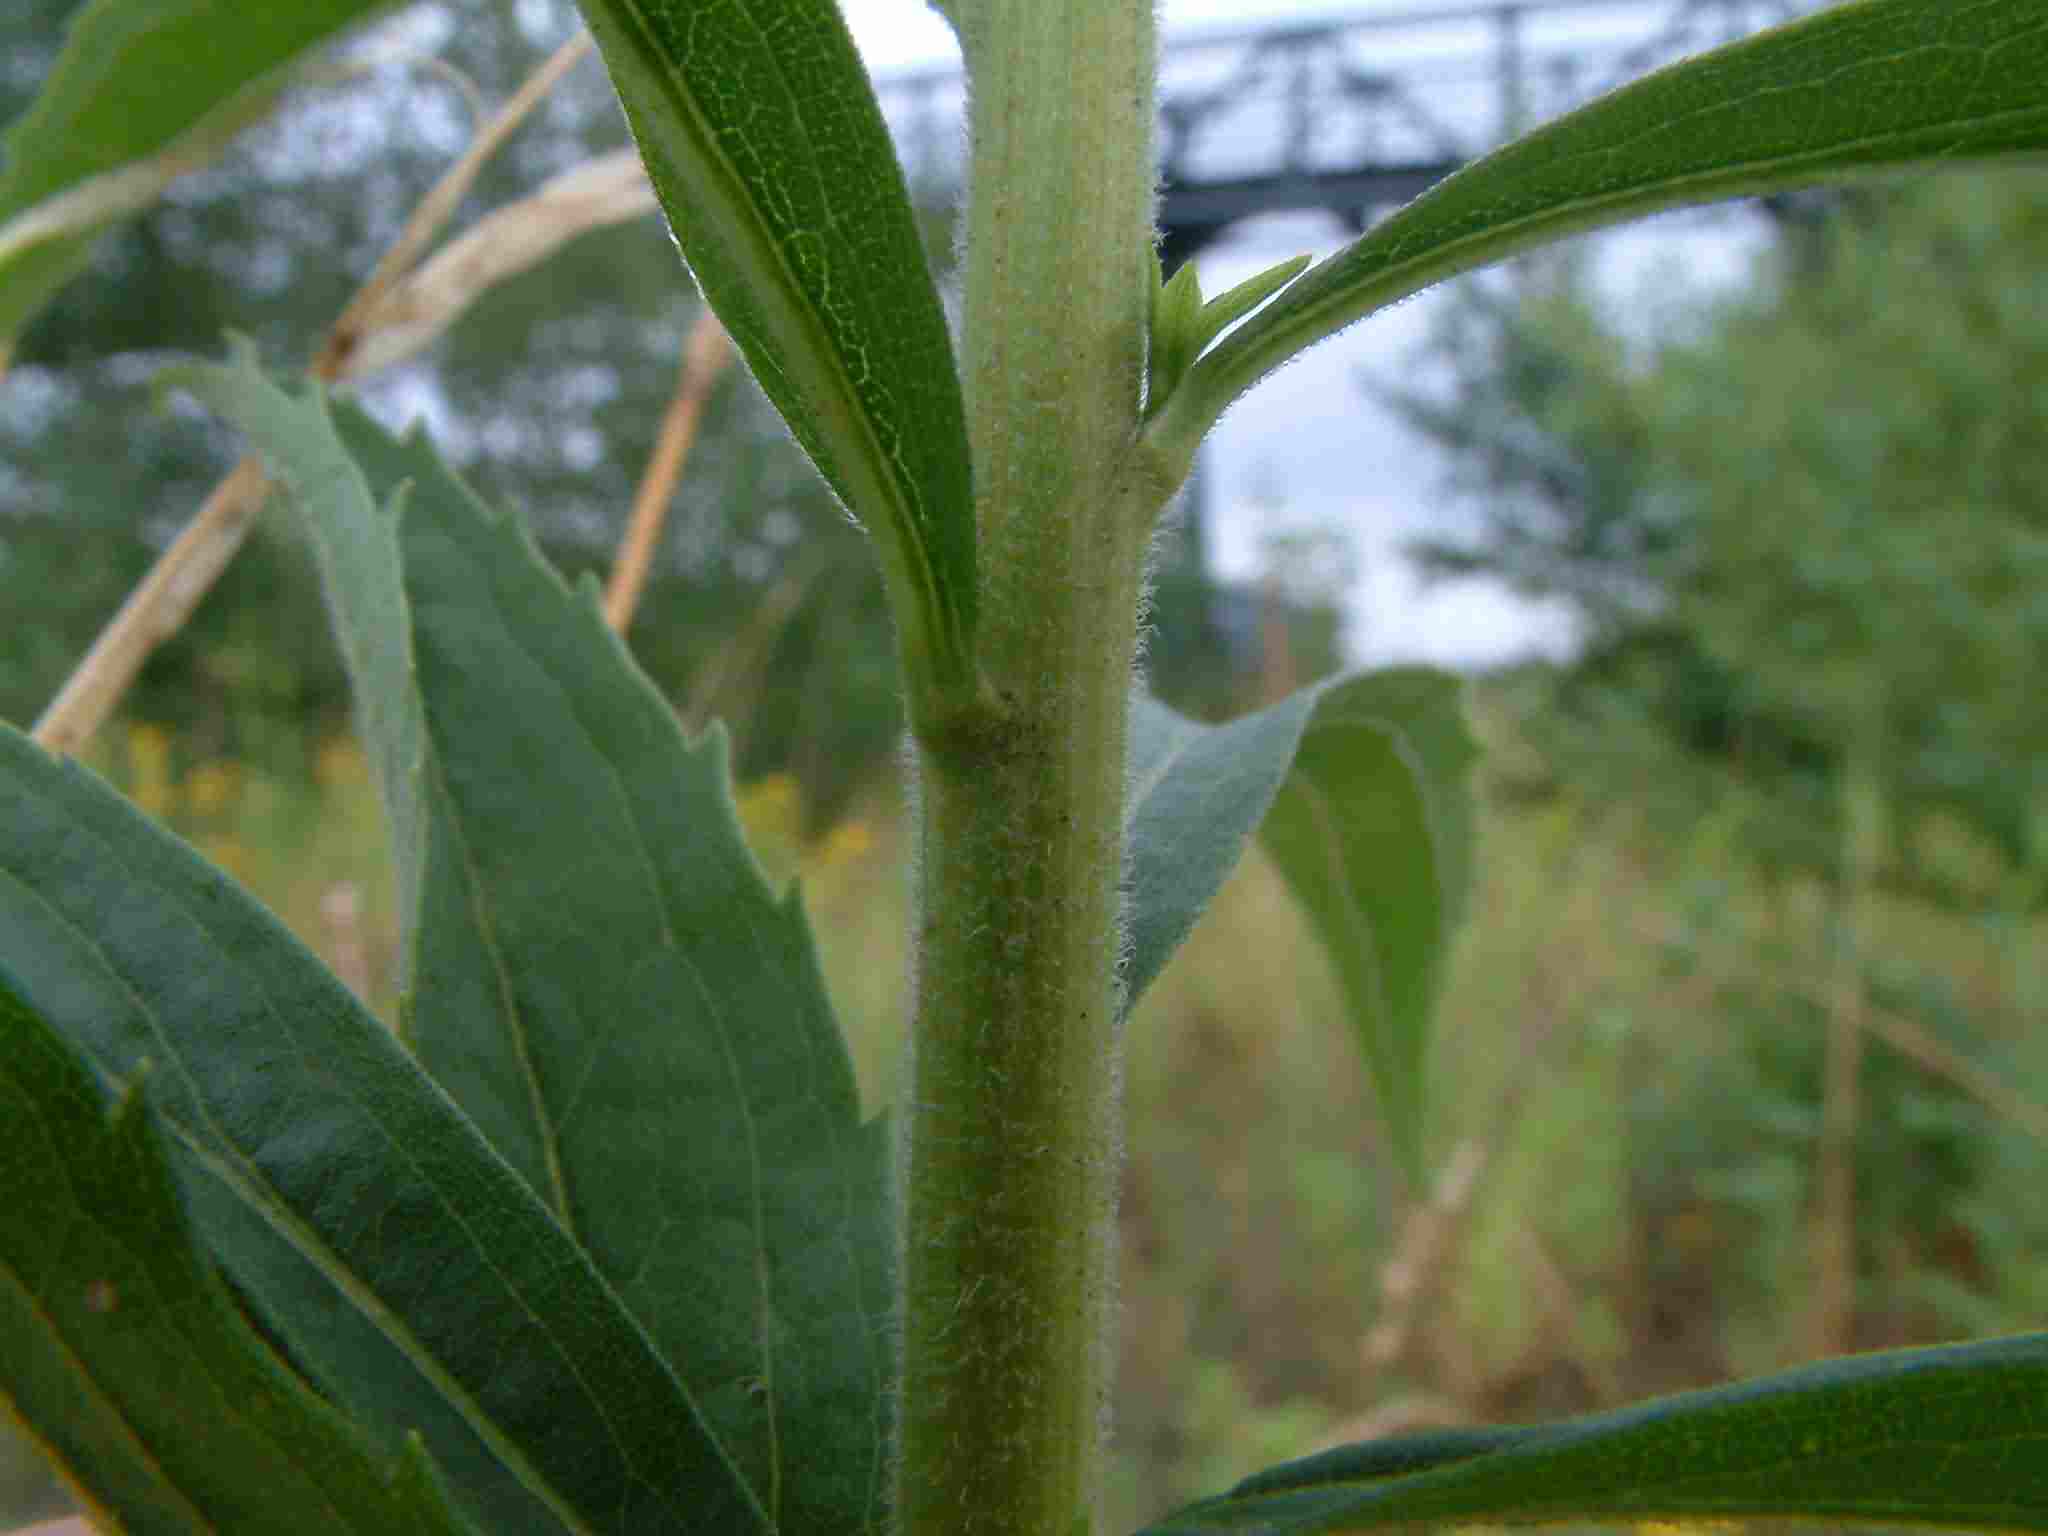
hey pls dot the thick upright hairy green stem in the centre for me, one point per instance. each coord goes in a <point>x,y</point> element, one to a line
<point>1013,1140</point>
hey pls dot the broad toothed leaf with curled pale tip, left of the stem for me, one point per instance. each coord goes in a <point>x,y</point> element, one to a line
<point>613,994</point>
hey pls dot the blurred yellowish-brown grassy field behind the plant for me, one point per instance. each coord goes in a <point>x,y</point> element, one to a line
<point>1629,1078</point>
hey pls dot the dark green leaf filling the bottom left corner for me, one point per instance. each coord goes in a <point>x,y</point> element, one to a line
<point>124,1355</point>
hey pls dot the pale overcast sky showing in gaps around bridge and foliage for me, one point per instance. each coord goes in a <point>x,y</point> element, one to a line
<point>1310,450</point>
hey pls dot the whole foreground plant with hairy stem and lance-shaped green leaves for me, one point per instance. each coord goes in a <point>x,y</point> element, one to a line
<point>601,1240</point>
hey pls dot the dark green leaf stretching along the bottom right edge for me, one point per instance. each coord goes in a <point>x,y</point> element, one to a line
<point>1920,1437</point>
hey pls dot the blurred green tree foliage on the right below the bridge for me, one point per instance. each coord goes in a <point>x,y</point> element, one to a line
<point>1797,523</point>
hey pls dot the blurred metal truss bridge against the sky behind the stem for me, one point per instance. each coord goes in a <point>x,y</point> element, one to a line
<point>1355,114</point>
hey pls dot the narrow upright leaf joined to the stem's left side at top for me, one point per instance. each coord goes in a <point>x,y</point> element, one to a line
<point>775,167</point>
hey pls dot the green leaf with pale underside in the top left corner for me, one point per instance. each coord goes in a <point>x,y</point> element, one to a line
<point>142,93</point>
